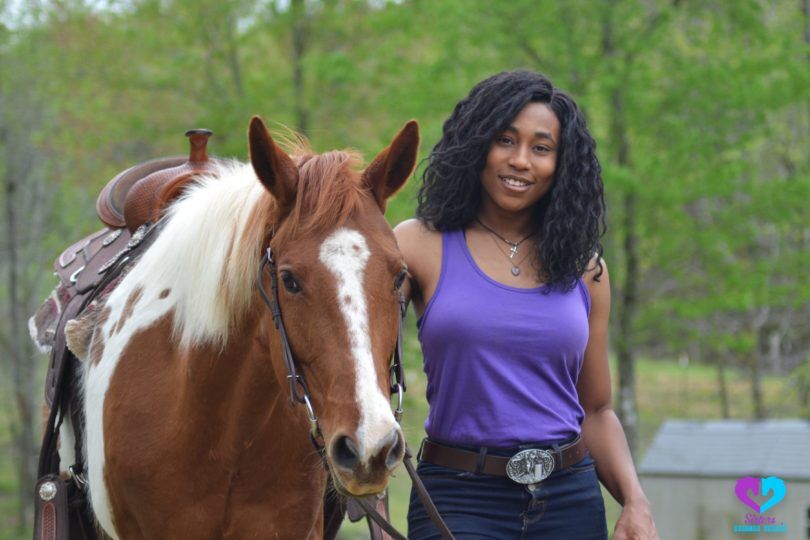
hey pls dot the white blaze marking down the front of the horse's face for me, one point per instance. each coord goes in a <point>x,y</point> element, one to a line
<point>345,253</point>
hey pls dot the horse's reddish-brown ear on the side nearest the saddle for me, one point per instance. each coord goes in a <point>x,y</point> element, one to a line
<point>273,166</point>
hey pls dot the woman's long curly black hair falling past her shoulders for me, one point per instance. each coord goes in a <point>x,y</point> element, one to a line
<point>570,217</point>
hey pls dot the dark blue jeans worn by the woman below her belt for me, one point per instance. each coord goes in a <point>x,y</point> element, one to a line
<point>567,505</point>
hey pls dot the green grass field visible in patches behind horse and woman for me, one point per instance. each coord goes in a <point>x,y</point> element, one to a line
<point>665,390</point>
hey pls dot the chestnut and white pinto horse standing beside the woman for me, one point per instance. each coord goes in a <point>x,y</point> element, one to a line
<point>189,427</point>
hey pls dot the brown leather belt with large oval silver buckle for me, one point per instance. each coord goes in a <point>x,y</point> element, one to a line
<point>525,467</point>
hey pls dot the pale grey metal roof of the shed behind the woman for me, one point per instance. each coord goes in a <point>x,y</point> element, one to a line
<point>730,448</point>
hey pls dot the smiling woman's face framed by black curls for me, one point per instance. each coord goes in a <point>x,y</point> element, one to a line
<point>521,160</point>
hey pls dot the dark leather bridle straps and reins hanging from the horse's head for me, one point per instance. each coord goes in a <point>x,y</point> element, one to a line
<point>299,391</point>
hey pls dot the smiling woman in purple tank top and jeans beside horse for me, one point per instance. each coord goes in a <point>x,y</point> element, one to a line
<point>513,297</point>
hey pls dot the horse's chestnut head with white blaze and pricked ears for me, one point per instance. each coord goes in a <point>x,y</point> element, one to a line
<point>339,271</point>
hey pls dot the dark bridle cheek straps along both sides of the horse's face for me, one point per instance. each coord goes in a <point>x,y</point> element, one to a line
<point>299,391</point>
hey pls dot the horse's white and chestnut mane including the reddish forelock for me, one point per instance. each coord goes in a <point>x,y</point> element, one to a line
<point>209,250</point>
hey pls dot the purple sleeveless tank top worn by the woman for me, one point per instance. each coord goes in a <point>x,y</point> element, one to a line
<point>502,362</point>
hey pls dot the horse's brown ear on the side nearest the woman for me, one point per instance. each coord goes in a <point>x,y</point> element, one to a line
<point>392,167</point>
